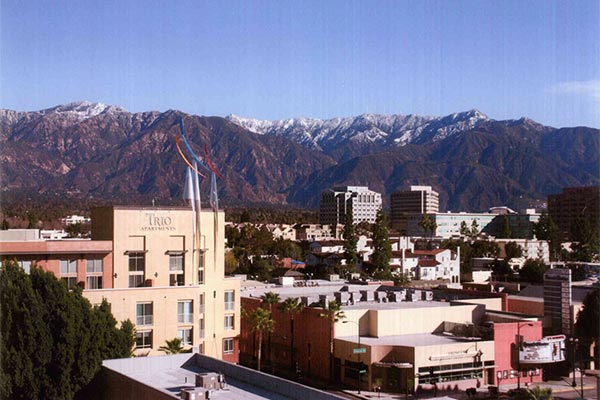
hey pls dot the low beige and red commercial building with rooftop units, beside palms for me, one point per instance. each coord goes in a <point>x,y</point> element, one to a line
<point>400,338</point>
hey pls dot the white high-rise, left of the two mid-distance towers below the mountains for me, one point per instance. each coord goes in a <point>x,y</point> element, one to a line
<point>335,203</point>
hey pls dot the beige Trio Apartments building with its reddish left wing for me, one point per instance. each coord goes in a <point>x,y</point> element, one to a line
<point>147,264</point>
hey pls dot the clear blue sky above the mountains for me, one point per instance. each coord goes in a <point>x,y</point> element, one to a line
<point>321,59</point>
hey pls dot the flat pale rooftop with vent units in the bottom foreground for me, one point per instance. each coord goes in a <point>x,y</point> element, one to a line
<point>175,376</point>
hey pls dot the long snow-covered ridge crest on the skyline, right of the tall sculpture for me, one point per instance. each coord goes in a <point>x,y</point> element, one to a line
<point>383,130</point>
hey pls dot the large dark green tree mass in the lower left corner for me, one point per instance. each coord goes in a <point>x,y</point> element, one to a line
<point>52,342</point>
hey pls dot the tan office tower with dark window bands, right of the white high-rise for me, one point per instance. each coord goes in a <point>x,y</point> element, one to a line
<point>417,200</point>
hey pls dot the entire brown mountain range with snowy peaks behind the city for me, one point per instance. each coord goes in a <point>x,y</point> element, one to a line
<point>95,151</point>
